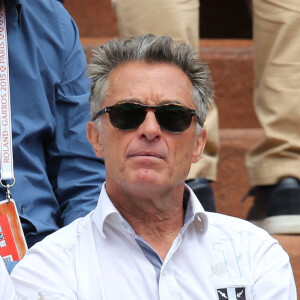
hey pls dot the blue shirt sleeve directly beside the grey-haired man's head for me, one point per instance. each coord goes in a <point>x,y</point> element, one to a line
<point>75,172</point>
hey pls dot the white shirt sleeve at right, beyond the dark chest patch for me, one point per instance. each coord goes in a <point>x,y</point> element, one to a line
<point>273,275</point>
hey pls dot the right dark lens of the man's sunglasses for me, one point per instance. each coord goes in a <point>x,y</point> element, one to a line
<point>173,118</point>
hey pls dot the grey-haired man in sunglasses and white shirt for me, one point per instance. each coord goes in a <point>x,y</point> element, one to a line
<point>149,237</point>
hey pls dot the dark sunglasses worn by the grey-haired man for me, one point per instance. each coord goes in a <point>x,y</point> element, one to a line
<point>172,117</point>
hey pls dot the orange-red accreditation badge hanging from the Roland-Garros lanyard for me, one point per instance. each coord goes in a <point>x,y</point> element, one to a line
<point>12,241</point>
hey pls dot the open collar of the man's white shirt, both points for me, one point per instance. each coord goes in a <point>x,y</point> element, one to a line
<point>106,212</point>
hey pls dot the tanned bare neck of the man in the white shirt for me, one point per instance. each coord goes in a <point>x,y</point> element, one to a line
<point>157,218</point>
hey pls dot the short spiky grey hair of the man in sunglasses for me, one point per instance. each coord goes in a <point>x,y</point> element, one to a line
<point>150,49</point>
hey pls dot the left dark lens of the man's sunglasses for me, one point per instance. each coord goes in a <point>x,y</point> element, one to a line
<point>126,116</point>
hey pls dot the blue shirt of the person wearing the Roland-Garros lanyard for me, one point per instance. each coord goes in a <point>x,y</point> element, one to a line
<point>58,177</point>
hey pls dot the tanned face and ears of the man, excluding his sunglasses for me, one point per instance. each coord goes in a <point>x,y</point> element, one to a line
<point>147,157</point>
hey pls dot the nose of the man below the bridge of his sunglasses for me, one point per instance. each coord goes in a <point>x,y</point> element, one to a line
<point>150,129</point>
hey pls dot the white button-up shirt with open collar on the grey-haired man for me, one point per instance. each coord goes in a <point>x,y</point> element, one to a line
<point>100,257</point>
